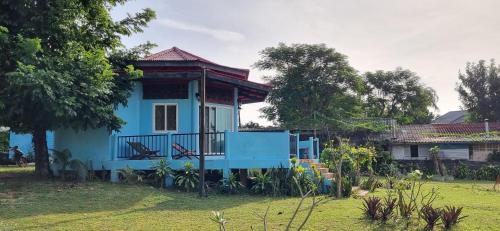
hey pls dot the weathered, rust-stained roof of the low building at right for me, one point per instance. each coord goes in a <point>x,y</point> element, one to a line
<point>444,133</point>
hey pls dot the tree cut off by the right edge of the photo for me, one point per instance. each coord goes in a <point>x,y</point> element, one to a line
<point>479,90</point>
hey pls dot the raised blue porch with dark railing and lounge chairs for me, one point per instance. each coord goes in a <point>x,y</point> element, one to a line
<point>224,150</point>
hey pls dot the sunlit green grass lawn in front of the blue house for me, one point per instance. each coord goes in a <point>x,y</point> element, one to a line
<point>28,204</point>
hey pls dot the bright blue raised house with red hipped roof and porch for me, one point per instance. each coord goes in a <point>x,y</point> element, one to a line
<point>162,121</point>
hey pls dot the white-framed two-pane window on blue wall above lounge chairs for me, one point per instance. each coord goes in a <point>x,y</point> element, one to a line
<point>165,117</point>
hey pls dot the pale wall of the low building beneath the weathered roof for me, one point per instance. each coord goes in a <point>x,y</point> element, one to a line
<point>448,151</point>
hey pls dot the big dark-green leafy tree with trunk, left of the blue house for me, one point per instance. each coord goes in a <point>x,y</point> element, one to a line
<point>58,67</point>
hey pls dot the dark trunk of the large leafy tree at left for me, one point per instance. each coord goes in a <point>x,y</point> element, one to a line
<point>42,168</point>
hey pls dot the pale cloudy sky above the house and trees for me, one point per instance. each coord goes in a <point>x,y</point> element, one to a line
<point>435,39</point>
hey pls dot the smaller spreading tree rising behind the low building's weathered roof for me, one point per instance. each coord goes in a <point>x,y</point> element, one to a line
<point>400,95</point>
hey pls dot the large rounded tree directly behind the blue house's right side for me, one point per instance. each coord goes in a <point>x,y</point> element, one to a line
<point>313,86</point>
